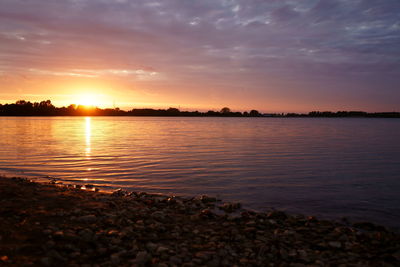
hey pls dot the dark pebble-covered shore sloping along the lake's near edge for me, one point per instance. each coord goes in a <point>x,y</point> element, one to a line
<point>59,225</point>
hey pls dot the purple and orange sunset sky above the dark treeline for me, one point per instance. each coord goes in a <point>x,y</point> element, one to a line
<point>269,55</point>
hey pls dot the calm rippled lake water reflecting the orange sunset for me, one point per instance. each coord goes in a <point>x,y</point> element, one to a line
<point>327,167</point>
